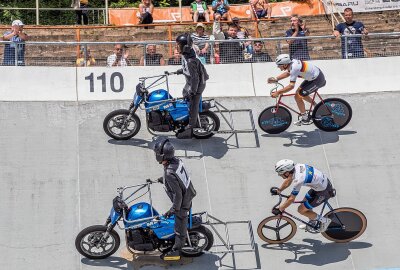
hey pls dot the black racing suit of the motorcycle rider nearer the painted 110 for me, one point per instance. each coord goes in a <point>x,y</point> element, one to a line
<point>196,77</point>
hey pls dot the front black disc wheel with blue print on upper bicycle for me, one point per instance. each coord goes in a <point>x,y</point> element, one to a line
<point>274,121</point>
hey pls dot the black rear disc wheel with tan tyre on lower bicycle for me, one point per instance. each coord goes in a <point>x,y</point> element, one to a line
<point>347,224</point>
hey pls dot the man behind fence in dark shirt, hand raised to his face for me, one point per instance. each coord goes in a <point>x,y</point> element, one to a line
<point>298,48</point>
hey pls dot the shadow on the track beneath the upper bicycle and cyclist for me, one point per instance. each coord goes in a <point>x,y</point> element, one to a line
<point>306,139</point>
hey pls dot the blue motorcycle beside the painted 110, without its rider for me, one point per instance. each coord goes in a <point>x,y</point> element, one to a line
<point>163,113</point>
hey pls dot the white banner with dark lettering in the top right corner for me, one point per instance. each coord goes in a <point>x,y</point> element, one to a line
<point>362,5</point>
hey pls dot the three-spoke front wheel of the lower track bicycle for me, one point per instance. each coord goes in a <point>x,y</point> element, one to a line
<point>276,229</point>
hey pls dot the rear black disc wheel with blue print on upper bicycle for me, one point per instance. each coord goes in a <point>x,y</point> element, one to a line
<point>332,114</point>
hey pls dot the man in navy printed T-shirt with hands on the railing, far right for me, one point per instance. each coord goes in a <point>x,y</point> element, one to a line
<point>349,27</point>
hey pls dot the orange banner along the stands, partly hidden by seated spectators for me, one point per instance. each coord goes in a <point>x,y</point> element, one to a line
<point>129,16</point>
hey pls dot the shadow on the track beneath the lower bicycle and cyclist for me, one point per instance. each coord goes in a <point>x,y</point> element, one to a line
<point>318,253</point>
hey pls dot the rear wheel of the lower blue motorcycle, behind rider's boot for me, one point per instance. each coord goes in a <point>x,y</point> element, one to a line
<point>201,240</point>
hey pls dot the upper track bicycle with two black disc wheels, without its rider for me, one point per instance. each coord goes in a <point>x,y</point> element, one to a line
<point>329,114</point>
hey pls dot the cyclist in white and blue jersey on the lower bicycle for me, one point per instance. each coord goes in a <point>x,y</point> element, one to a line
<point>304,175</point>
